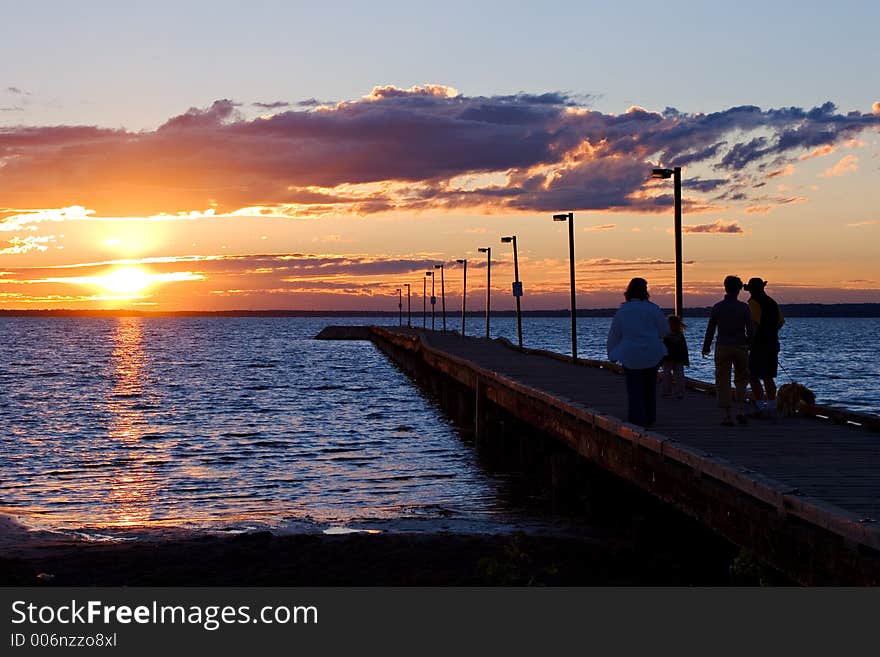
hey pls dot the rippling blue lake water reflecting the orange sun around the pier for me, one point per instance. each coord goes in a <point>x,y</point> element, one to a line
<point>122,423</point>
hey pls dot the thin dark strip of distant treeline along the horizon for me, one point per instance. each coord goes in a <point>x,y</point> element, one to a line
<point>789,310</point>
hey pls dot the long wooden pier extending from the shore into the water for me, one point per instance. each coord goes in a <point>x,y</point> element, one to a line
<point>802,493</point>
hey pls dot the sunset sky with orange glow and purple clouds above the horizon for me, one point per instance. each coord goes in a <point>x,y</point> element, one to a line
<point>283,155</point>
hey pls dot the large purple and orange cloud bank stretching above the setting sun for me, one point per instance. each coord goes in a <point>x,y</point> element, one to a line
<point>407,149</point>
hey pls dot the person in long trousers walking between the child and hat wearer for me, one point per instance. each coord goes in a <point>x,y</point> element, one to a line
<point>734,323</point>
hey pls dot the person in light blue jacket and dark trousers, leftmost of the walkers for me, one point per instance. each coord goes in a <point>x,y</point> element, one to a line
<point>635,340</point>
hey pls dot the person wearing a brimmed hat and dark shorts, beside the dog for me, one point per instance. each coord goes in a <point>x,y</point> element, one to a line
<point>764,352</point>
